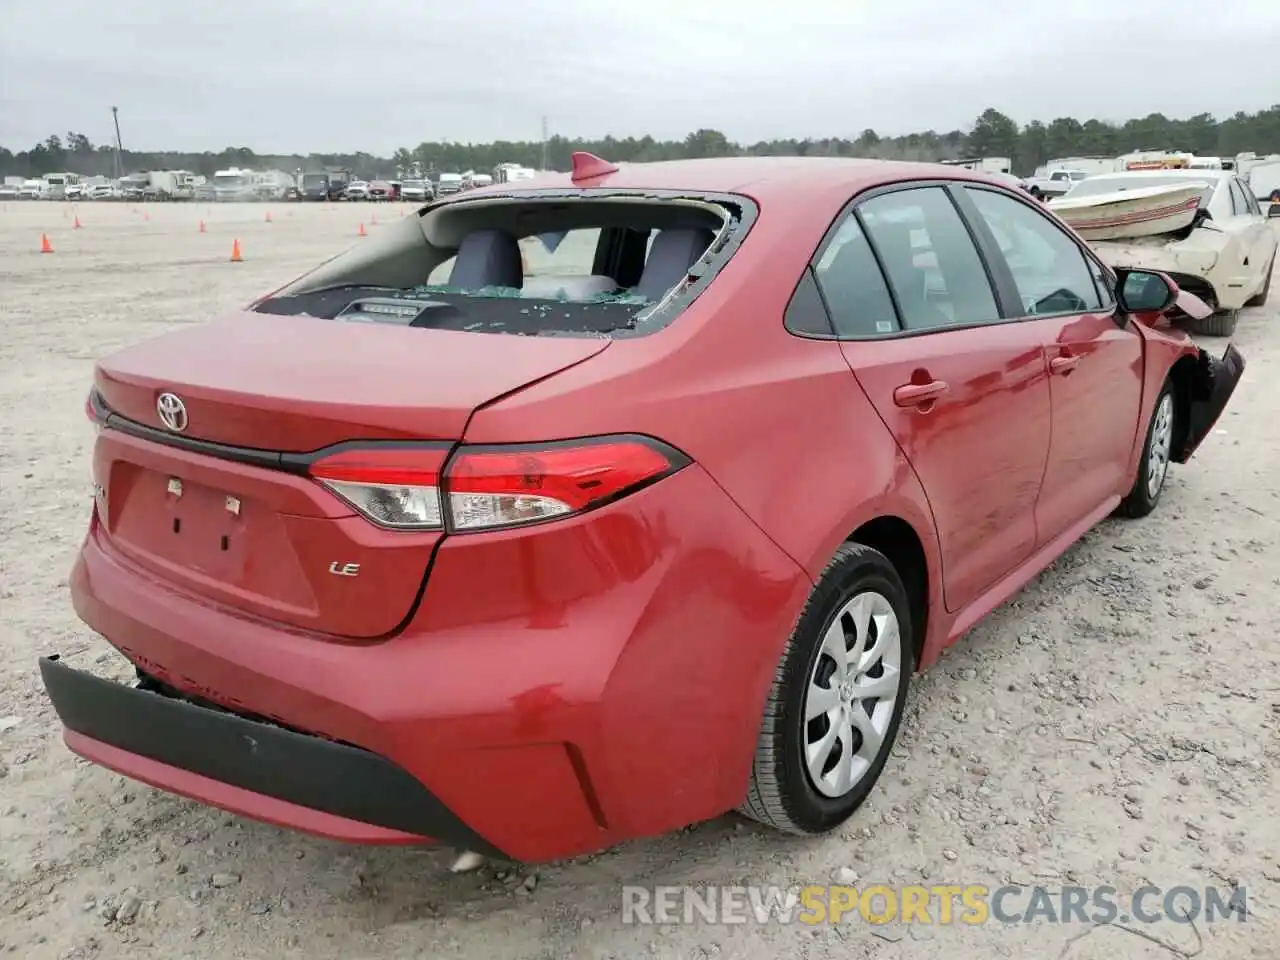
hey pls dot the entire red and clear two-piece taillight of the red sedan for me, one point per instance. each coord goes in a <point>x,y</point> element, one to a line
<point>492,487</point>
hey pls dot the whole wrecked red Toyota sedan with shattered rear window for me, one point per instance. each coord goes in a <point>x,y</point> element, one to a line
<point>596,506</point>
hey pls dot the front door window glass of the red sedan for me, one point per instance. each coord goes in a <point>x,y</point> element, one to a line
<point>1052,273</point>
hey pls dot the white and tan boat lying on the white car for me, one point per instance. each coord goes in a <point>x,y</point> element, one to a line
<point>1145,212</point>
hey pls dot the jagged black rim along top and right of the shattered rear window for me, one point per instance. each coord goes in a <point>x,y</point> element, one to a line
<point>740,214</point>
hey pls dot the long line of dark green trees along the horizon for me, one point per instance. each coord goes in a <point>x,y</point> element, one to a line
<point>993,135</point>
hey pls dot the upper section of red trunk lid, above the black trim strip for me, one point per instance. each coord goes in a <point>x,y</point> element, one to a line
<point>296,383</point>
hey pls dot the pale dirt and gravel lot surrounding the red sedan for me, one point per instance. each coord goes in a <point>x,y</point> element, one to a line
<point>1117,724</point>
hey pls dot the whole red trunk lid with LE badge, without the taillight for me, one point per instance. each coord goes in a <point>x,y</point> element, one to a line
<point>216,510</point>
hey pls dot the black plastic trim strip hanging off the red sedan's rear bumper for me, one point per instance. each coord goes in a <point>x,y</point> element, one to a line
<point>304,770</point>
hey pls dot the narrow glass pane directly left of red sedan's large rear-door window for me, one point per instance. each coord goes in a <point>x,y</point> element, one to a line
<point>853,285</point>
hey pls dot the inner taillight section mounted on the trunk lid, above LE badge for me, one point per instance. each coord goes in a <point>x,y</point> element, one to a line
<point>394,486</point>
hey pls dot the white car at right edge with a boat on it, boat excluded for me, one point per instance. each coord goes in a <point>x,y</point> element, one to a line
<point>1226,258</point>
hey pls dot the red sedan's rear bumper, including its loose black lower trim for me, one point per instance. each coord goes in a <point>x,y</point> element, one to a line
<point>560,689</point>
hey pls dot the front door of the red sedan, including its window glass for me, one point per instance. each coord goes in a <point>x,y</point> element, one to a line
<point>1096,364</point>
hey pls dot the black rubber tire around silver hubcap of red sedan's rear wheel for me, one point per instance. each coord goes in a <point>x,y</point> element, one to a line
<point>783,793</point>
